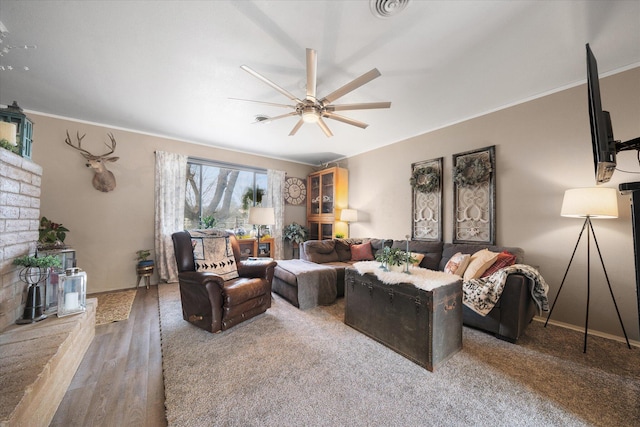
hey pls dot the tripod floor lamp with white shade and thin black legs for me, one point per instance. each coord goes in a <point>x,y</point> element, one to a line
<point>589,203</point>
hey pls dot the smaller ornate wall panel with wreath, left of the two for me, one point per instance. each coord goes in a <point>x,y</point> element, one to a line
<point>426,182</point>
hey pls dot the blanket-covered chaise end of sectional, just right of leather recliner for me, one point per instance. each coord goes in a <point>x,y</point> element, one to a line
<point>305,284</point>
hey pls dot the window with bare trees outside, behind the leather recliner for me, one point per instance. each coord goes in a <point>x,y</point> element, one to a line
<point>220,195</point>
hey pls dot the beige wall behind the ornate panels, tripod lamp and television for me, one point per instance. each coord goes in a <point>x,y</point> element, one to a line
<point>543,147</point>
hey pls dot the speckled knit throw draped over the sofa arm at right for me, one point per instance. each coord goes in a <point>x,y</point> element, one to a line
<point>481,295</point>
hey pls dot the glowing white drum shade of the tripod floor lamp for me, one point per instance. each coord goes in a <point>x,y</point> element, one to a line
<point>595,202</point>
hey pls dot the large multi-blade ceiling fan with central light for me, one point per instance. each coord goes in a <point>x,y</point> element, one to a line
<point>313,110</point>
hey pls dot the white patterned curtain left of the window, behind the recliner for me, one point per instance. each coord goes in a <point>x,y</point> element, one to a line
<point>170,187</point>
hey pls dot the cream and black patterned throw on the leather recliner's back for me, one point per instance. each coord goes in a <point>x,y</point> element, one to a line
<point>212,253</point>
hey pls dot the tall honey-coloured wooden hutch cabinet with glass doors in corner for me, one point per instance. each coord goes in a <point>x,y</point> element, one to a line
<point>327,195</point>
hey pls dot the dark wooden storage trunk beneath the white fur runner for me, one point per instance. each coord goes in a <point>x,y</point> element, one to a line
<point>423,326</point>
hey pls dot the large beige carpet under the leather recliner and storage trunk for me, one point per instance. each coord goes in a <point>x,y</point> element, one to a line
<point>290,367</point>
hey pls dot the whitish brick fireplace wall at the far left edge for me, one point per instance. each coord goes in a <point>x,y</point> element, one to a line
<point>20,181</point>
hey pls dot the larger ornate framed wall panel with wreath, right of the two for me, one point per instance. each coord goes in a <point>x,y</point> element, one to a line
<point>474,188</point>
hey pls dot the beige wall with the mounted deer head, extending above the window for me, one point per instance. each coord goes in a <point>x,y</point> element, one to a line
<point>108,228</point>
